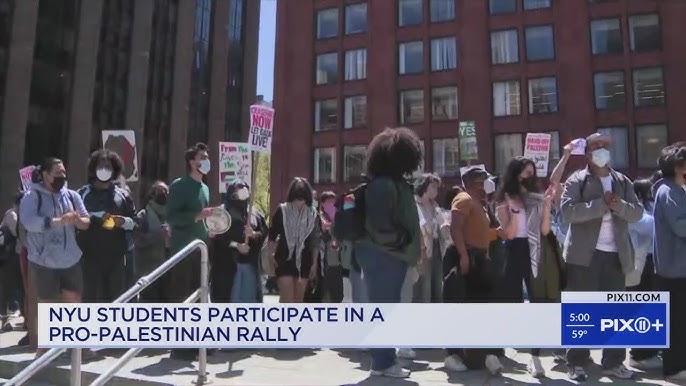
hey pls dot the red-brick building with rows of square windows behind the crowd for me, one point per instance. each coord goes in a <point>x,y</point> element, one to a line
<point>345,69</point>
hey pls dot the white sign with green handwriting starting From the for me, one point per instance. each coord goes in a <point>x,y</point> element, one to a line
<point>235,163</point>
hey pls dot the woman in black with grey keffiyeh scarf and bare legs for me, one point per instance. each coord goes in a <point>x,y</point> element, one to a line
<point>294,240</point>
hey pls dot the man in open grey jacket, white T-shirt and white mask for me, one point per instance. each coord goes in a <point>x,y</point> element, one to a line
<point>598,203</point>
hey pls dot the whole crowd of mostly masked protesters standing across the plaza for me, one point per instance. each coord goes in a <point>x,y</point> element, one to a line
<point>493,239</point>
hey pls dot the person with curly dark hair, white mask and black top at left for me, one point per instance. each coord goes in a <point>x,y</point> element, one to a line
<point>105,243</point>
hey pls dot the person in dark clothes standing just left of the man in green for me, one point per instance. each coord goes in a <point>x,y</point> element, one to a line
<point>151,241</point>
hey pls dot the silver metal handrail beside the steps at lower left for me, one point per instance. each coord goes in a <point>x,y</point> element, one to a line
<point>201,294</point>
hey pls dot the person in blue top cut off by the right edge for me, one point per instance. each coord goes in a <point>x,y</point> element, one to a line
<point>670,244</point>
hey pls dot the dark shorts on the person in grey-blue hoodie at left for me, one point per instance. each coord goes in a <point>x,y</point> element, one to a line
<point>50,282</point>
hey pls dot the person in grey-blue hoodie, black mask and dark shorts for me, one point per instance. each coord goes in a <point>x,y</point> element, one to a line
<point>51,214</point>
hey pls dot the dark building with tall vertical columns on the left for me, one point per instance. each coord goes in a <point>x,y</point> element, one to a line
<point>174,71</point>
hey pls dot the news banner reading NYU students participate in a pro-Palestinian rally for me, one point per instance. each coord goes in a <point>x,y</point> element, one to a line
<point>582,319</point>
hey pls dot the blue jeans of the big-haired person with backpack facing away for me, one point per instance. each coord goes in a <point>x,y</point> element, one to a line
<point>384,275</point>
